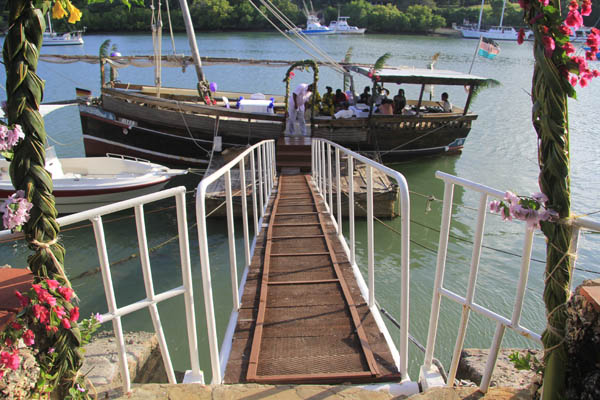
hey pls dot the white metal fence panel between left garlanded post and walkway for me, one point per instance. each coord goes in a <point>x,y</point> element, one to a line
<point>115,313</point>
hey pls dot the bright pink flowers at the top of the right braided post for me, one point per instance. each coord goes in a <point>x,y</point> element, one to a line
<point>555,34</point>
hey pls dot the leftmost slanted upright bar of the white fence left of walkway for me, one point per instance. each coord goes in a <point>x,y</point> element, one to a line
<point>111,302</point>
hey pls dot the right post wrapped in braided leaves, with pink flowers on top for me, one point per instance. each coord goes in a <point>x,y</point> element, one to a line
<point>557,70</point>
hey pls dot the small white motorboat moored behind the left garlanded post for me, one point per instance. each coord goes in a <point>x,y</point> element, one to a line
<point>84,183</point>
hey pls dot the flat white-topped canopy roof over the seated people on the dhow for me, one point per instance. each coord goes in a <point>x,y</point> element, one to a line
<point>420,76</point>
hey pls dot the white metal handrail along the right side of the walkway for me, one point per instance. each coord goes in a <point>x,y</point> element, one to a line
<point>326,175</point>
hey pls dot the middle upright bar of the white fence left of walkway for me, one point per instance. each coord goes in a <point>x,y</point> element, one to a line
<point>149,286</point>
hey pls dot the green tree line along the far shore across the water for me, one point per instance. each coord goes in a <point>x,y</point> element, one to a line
<point>396,16</point>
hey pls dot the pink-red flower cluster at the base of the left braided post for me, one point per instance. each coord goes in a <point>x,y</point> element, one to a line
<point>48,313</point>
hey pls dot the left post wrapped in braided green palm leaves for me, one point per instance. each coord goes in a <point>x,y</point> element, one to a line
<point>24,91</point>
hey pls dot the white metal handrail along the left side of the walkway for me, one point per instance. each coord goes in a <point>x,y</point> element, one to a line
<point>262,172</point>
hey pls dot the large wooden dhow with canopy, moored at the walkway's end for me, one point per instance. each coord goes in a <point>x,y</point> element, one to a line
<point>177,128</point>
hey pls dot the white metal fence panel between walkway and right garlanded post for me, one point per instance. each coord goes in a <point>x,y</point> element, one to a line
<point>430,376</point>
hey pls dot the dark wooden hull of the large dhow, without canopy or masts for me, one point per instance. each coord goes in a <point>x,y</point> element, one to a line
<point>178,130</point>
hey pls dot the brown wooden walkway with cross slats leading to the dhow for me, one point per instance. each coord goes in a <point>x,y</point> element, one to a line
<point>302,317</point>
